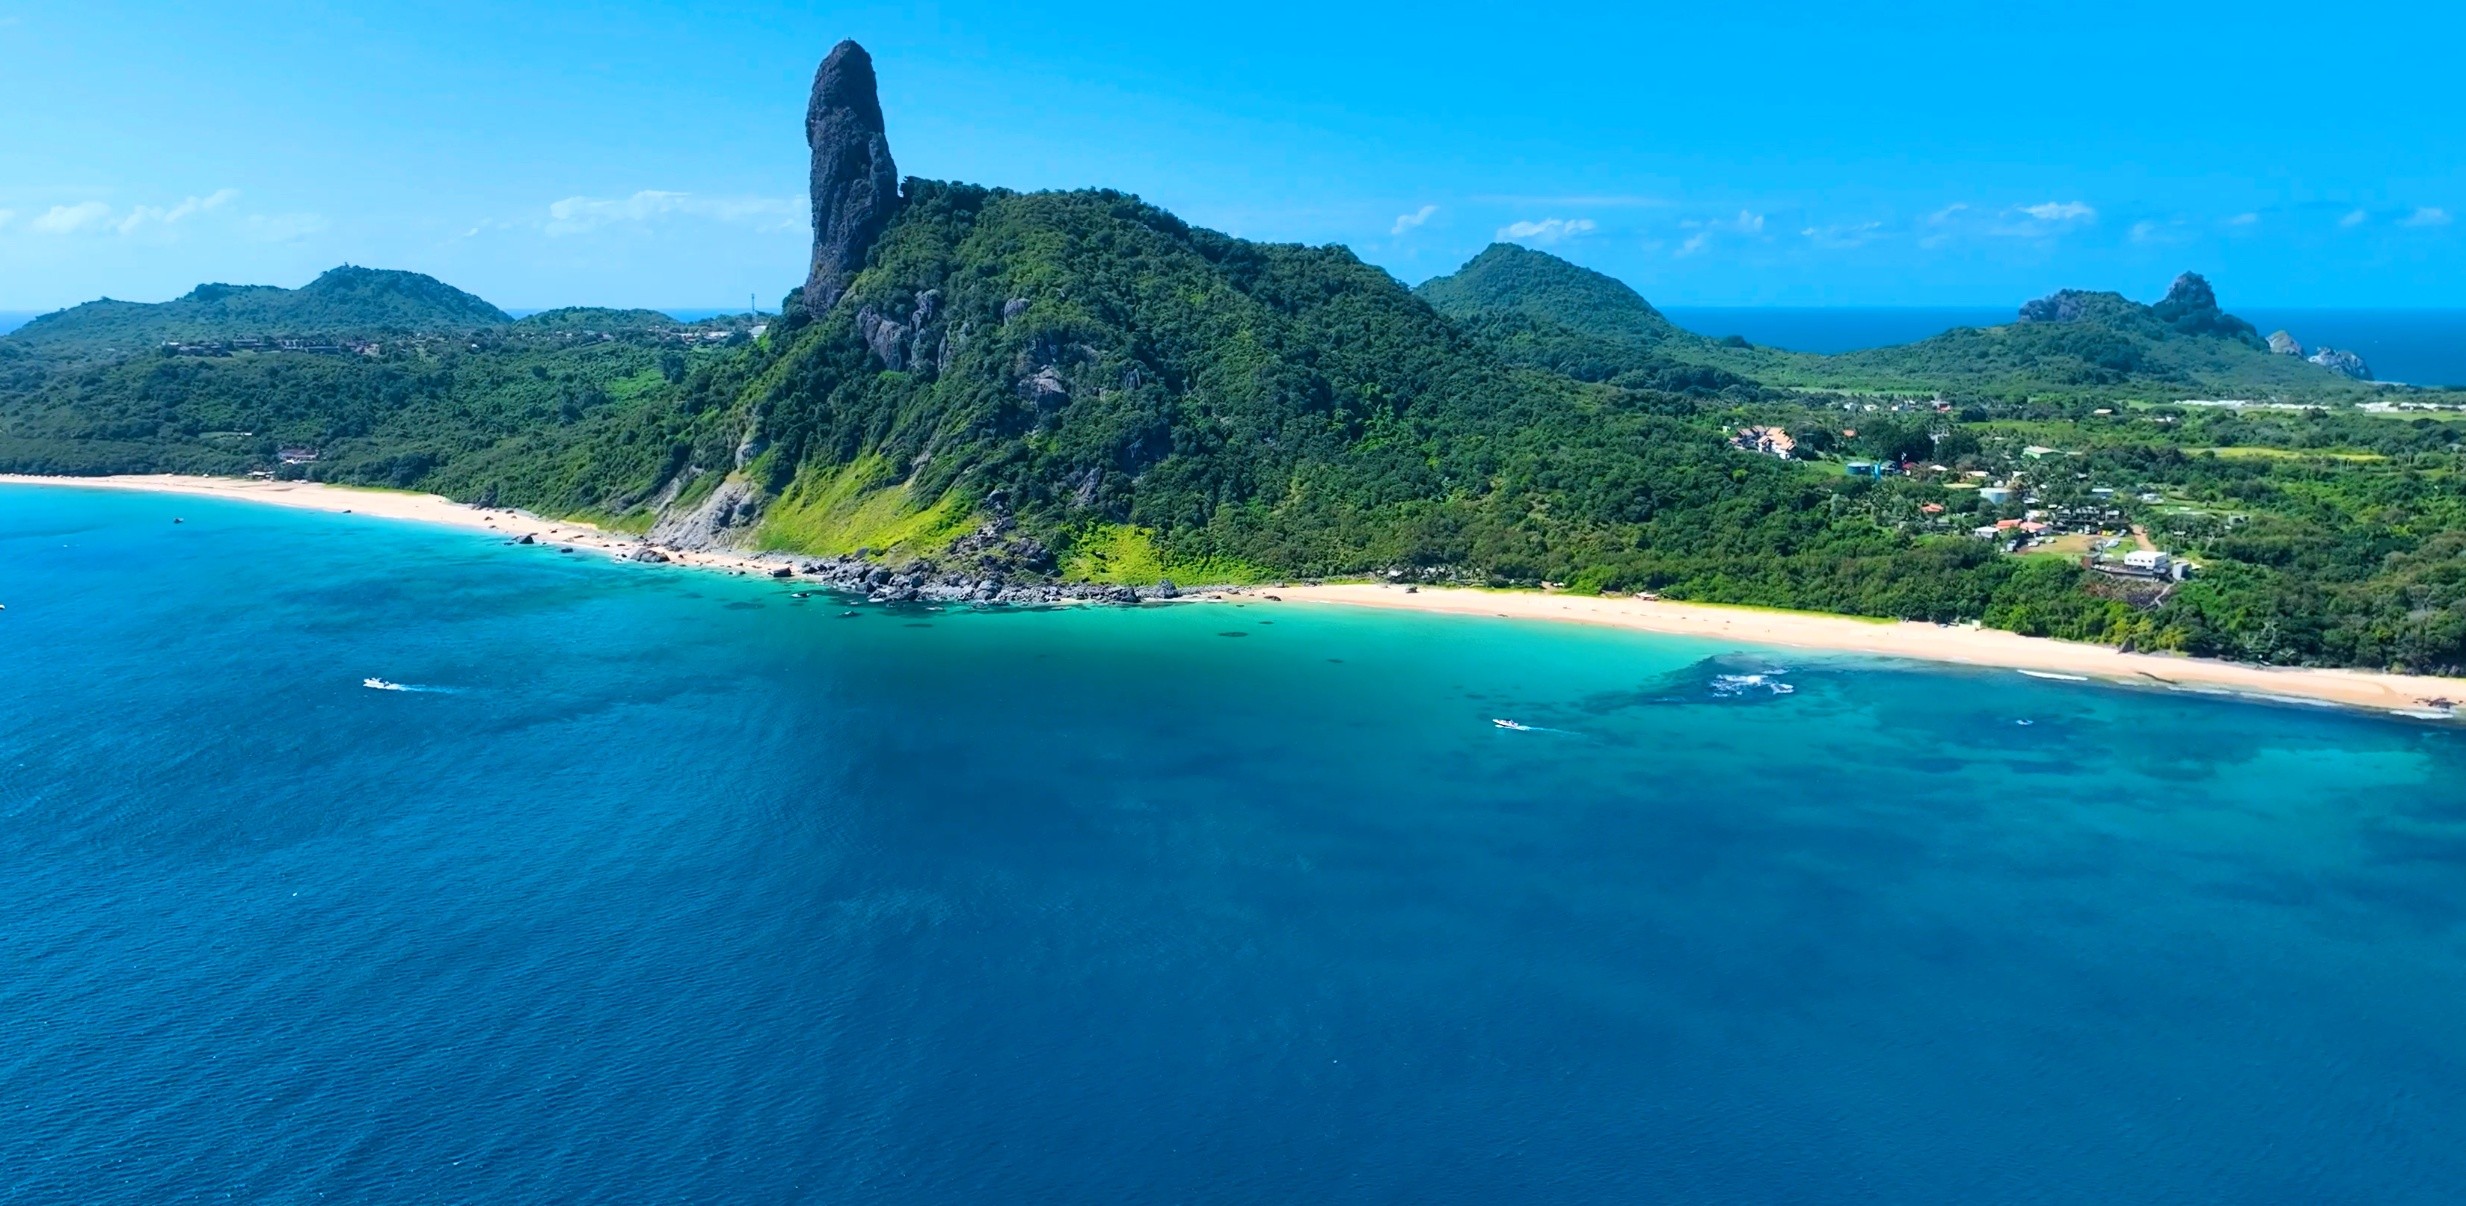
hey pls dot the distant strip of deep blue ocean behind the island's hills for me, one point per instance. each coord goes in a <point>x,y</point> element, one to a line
<point>2403,347</point>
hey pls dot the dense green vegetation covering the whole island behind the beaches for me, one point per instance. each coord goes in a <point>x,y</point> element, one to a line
<point>1160,401</point>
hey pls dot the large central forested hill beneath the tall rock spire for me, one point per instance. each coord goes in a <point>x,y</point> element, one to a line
<point>1108,374</point>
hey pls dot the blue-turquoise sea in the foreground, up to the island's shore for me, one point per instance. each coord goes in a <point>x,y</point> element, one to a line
<point>674,889</point>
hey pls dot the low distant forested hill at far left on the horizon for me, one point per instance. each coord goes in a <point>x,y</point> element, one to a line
<point>342,302</point>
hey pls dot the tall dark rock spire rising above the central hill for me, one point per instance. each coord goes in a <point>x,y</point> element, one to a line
<point>857,189</point>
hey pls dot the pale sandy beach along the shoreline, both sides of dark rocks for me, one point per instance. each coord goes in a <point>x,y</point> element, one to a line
<point>1745,625</point>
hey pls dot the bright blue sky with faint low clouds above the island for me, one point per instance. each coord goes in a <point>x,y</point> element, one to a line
<point>1893,154</point>
